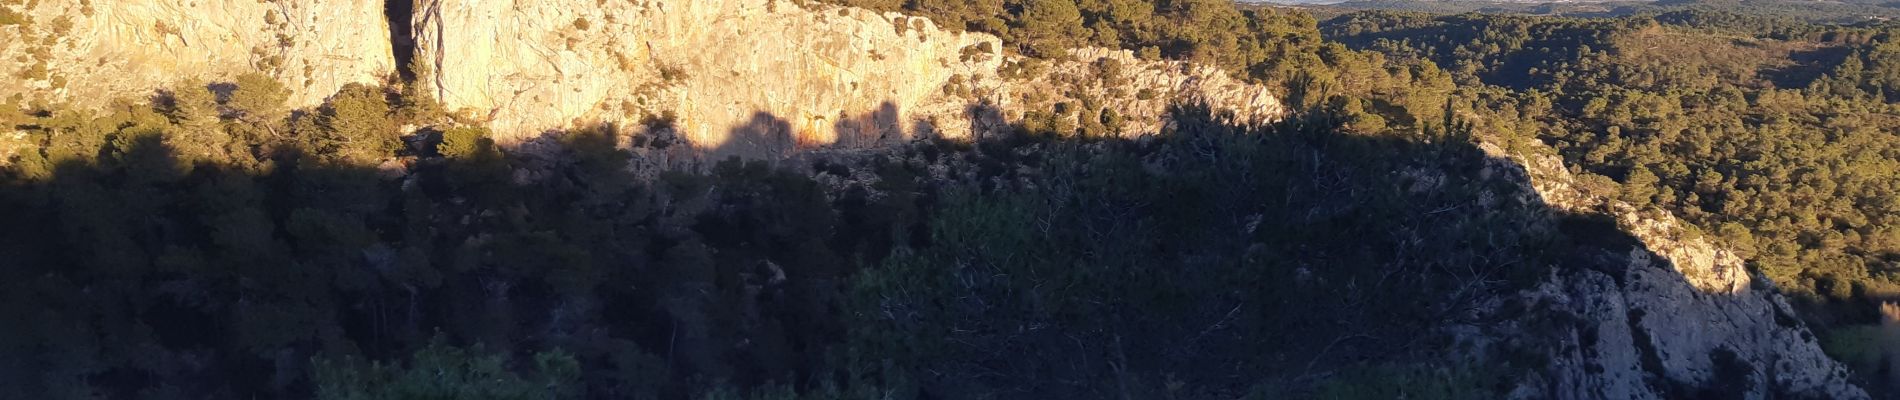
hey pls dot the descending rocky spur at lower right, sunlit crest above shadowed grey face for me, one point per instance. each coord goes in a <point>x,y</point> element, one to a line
<point>1675,316</point>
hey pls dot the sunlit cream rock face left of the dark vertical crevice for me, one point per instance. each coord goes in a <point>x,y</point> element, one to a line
<point>90,50</point>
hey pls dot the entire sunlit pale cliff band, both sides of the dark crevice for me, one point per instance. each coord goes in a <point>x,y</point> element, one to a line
<point>757,79</point>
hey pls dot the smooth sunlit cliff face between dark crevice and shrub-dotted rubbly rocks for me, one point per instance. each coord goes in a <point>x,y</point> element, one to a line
<point>772,73</point>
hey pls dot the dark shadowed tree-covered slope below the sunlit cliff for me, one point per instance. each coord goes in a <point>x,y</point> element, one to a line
<point>1283,261</point>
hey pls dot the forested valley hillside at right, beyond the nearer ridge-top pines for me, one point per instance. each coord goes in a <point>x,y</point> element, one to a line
<point>1766,134</point>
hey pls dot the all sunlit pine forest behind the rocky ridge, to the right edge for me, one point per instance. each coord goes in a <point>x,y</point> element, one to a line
<point>1766,124</point>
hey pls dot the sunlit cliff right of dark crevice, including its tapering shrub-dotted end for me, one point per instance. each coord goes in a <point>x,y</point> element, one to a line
<point>770,77</point>
